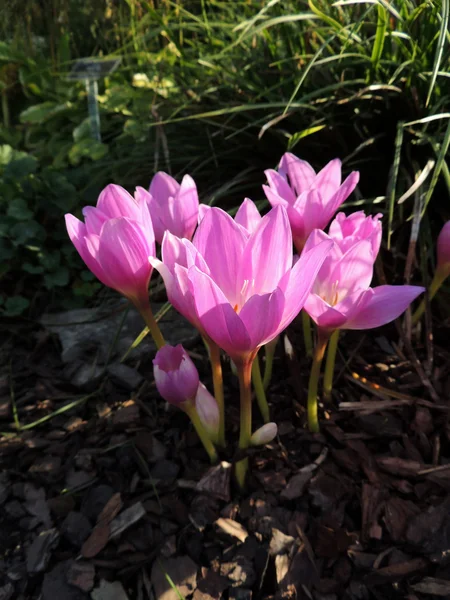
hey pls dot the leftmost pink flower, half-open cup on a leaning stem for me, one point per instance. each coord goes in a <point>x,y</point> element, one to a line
<point>115,242</point>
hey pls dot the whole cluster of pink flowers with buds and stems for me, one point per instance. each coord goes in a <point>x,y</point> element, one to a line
<point>237,280</point>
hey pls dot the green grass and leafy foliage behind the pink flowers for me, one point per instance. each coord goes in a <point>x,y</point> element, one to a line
<point>219,89</point>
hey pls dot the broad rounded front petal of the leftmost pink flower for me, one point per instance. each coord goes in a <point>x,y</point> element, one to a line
<point>123,255</point>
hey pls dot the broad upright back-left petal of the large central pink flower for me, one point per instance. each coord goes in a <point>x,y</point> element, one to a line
<point>221,242</point>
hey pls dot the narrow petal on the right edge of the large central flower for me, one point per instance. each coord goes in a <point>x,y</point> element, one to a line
<point>298,282</point>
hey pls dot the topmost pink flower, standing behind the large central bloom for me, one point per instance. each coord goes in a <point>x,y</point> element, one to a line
<point>310,199</point>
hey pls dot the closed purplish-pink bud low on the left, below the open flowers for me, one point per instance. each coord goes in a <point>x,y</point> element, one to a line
<point>176,376</point>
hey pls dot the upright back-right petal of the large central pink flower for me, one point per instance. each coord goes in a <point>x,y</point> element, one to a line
<point>268,254</point>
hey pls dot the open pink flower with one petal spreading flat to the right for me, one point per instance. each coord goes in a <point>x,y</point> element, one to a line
<point>342,298</point>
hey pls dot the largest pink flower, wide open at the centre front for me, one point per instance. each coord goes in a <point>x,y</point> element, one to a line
<point>239,289</point>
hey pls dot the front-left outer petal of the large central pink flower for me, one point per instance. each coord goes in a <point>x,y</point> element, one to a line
<point>217,316</point>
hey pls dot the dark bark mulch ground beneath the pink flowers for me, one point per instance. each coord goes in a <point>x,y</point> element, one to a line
<point>113,498</point>
